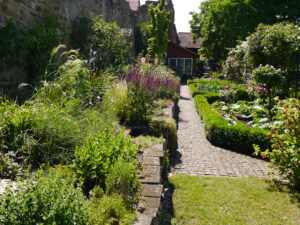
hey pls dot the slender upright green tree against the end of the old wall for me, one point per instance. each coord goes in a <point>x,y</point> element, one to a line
<point>158,41</point>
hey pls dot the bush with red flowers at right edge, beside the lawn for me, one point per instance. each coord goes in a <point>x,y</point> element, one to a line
<point>285,138</point>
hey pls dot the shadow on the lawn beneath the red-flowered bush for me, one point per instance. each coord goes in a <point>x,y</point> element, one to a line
<point>276,186</point>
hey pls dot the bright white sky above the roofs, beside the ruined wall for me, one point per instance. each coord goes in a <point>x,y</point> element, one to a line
<point>182,10</point>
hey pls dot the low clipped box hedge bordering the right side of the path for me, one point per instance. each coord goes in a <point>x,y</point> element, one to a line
<point>239,137</point>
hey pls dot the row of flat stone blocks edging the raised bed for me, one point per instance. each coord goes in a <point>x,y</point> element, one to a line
<point>153,177</point>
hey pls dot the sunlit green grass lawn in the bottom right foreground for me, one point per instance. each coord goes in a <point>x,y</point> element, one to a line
<point>211,200</point>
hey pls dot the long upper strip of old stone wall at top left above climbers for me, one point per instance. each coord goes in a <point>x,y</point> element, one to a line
<point>29,12</point>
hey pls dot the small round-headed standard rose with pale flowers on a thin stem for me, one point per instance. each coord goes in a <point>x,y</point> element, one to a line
<point>268,78</point>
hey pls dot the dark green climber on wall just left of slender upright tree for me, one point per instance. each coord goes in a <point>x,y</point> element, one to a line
<point>142,35</point>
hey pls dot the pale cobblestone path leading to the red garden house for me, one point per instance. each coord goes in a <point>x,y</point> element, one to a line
<point>195,154</point>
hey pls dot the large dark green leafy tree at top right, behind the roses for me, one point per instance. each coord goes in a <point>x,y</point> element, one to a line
<point>222,23</point>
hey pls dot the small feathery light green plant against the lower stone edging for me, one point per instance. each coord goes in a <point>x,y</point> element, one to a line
<point>123,180</point>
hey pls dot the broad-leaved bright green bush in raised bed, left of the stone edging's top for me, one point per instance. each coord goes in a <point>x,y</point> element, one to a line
<point>94,160</point>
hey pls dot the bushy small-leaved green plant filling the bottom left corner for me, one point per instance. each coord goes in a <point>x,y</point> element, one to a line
<point>48,198</point>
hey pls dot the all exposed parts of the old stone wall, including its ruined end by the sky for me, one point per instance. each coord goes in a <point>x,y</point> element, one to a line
<point>30,12</point>
